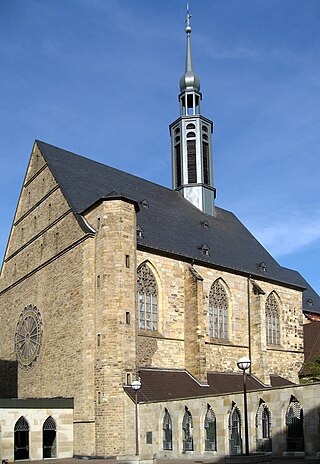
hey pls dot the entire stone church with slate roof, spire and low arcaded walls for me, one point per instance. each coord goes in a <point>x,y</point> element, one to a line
<point>109,278</point>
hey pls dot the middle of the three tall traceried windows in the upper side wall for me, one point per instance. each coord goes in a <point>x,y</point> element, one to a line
<point>218,311</point>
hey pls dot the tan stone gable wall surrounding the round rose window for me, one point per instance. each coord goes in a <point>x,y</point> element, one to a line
<point>46,267</point>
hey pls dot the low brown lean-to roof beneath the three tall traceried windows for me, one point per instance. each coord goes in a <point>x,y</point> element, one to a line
<point>171,384</point>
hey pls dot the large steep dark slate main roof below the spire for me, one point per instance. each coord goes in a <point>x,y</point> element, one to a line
<point>169,223</point>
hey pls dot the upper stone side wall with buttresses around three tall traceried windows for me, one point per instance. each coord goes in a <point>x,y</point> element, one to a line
<point>177,293</point>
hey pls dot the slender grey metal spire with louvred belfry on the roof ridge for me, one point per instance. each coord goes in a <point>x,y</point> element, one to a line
<point>191,141</point>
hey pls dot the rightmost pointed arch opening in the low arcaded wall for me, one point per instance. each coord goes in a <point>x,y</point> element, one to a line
<point>294,423</point>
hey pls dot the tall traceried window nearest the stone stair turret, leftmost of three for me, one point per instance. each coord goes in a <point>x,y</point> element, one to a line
<point>147,295</point>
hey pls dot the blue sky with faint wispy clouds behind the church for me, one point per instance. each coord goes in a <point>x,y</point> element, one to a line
<point>101,78</point>
